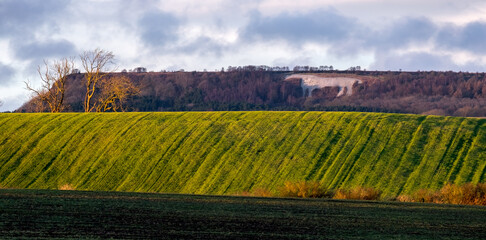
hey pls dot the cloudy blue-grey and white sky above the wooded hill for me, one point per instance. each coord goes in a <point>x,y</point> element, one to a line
<point>411,35</point>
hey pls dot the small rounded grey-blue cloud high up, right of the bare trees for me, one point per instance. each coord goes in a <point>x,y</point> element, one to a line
<point>158,28</point>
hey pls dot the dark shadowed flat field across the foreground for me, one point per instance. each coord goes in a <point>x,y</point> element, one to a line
<point>40,214</point>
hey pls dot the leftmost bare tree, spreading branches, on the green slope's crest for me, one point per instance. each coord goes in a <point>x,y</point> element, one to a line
<point>53,77</point>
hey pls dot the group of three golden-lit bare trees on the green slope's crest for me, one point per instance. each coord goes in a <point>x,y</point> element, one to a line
<point>102,91</point>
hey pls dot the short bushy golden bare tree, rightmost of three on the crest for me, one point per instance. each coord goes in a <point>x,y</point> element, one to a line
<point>114,92</point>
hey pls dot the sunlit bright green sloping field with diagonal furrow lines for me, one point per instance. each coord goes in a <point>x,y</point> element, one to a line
<point>230,152</point>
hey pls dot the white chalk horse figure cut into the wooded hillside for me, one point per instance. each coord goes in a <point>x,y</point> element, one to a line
<point>312,82</point>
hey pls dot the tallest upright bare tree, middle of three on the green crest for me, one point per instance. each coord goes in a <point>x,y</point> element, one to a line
<point>97,64</point>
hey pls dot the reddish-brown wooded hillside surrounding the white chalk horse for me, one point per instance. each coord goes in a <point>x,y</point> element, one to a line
<point>437,93</point>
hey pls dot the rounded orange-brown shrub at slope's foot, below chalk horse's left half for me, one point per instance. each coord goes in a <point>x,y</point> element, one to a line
<point>303,189</point>
